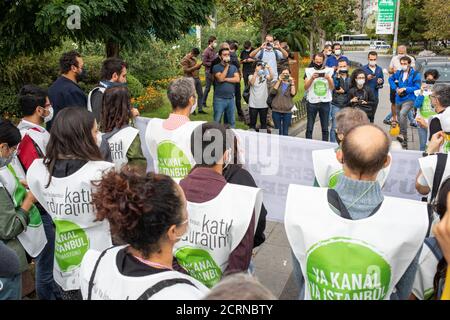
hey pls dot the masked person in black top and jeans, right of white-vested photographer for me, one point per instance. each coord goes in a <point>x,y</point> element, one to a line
<point>340,94</point>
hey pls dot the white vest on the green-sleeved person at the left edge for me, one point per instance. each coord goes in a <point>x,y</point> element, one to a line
<point>33,238</point>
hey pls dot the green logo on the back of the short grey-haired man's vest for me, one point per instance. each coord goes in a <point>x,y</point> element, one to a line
<point>172,161</point>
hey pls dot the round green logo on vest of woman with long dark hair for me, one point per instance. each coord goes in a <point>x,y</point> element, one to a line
<point>71,244</point>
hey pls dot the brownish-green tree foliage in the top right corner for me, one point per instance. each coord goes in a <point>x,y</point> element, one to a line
<point>437,14</point>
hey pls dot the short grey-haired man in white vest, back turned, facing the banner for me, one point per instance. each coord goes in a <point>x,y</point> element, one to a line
<point>169,140</point>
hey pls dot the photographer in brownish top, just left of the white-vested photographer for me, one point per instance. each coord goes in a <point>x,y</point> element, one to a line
<point>284,91</point>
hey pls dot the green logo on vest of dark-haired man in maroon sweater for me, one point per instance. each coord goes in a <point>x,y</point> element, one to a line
<point>200,265</point>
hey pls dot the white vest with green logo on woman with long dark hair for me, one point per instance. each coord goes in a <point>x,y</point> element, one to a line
<point>68,201</point>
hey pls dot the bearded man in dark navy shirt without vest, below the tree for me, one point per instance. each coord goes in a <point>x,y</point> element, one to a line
<point>65,92</point>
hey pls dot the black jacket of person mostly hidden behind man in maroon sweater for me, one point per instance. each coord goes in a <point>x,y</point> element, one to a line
<point>236,174</point>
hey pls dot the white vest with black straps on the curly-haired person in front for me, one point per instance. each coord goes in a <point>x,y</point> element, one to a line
<point>110,284</point>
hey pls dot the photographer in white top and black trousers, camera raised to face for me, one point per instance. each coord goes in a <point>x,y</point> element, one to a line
<point>259,91</point>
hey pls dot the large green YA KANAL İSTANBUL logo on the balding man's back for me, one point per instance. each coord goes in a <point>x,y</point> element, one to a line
<point>346,269</point>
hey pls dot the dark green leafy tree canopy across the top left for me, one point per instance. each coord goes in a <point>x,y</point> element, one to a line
<point>33,26</point>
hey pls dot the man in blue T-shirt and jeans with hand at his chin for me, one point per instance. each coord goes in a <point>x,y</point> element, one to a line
<point>226,76</point>
